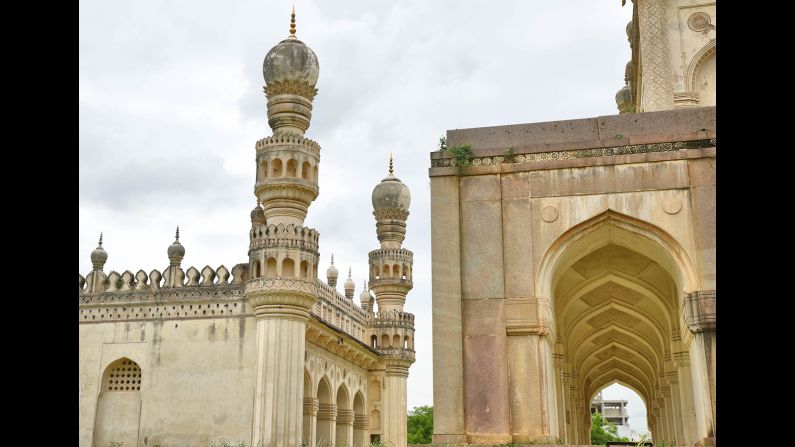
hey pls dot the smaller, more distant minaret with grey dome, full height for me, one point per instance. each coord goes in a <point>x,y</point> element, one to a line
<point>390,279</point>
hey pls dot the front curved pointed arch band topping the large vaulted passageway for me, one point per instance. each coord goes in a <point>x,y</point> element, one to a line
<point>664,249</point>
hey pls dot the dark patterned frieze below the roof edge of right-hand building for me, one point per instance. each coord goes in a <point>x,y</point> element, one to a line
<point>580,153</point>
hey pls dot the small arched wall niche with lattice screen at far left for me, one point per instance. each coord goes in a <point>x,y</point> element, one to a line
<point>119,404</point>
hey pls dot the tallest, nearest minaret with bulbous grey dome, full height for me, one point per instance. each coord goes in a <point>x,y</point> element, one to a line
<point>283,254</point>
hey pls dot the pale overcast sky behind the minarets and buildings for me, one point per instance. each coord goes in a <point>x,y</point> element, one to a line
<point>171,104</point>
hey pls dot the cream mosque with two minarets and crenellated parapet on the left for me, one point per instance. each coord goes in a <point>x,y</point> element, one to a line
<point>264,353</point>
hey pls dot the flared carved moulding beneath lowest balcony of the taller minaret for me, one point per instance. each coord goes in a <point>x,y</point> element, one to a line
<point>281,297</point>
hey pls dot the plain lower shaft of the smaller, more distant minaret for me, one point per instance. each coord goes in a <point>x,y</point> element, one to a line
<point>394,414</point>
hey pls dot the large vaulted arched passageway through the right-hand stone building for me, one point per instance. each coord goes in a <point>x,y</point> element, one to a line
<point>617,285</point>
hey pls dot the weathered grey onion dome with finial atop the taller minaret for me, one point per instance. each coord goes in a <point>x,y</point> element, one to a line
<point>291,60</point>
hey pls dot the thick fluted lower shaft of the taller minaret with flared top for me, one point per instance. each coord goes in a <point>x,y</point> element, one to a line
<point>281,307</point>
